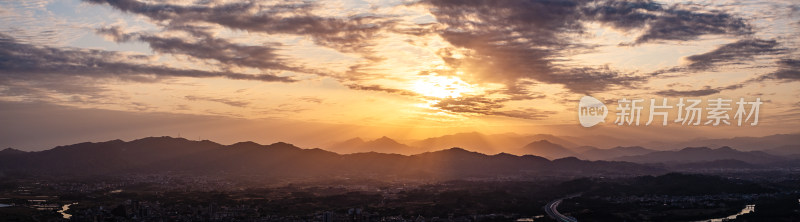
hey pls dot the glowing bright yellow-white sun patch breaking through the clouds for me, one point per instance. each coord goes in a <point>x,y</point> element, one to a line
<point>442,86</point>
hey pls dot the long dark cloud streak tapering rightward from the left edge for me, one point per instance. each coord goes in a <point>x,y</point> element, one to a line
<point>24,61</point>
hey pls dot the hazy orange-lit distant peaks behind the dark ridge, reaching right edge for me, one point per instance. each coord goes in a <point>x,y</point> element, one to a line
<point>553,147</point>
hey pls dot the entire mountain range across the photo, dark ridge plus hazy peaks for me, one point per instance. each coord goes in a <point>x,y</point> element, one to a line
<point>358,158</point>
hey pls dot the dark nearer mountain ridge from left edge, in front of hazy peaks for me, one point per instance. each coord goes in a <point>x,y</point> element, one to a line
<point>283,160</point>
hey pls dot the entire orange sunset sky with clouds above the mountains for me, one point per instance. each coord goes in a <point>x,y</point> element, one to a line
<point>316,72</point>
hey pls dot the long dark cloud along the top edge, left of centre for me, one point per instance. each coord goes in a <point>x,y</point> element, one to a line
<point>346,34</point>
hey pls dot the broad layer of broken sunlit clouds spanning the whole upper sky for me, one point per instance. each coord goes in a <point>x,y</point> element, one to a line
<point>510,50</point>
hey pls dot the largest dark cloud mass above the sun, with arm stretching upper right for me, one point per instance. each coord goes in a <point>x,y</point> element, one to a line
<point>515,40</point>
